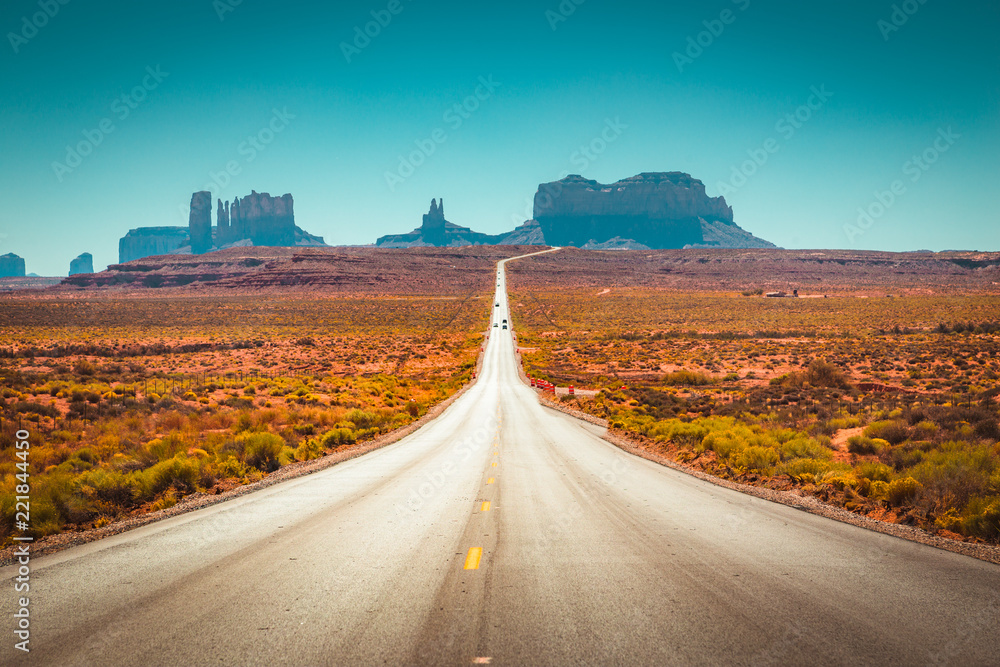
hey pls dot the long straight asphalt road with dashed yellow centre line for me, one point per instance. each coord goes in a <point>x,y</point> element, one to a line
<point>505,533</point>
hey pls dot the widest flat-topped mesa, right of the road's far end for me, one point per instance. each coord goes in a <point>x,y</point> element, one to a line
<point>652,210</point>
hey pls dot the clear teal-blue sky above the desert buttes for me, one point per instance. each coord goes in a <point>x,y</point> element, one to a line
<point>269,90</point>
